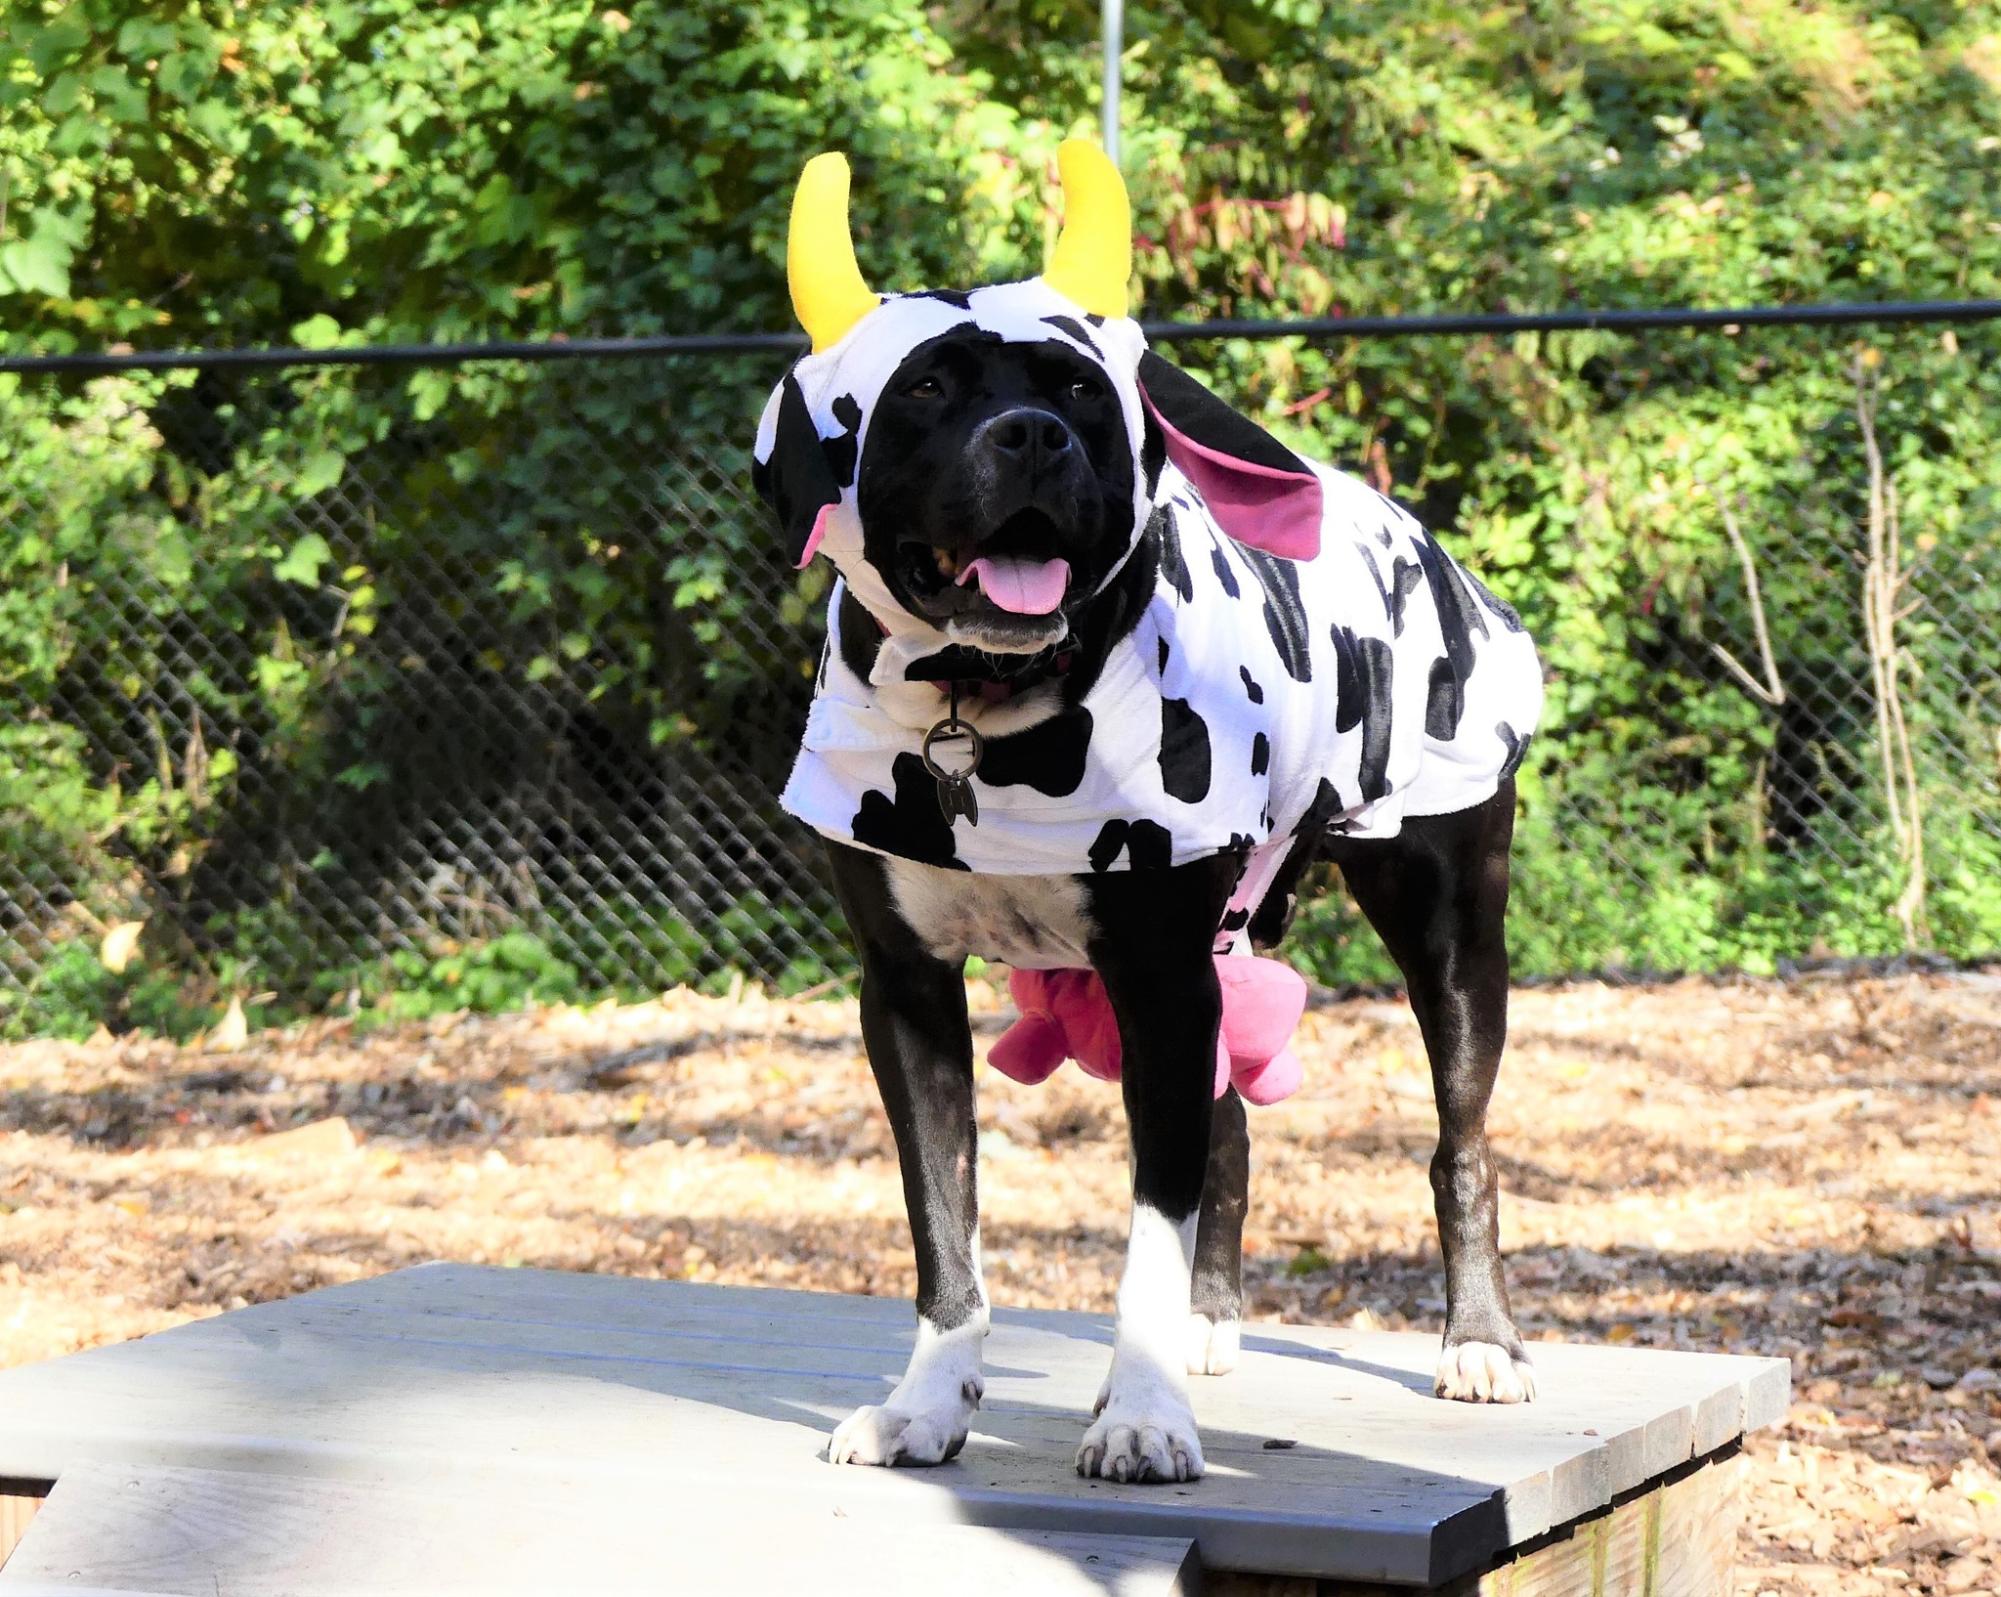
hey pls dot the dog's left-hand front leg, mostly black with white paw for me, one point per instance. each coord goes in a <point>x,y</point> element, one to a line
<point>921,1052</point>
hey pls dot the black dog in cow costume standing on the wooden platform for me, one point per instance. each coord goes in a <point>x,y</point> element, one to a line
<point>1108,669</point>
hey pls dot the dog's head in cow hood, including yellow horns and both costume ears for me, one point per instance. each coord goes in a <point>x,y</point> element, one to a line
<point>981,463</point>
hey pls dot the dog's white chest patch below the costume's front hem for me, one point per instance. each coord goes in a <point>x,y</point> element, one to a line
<point>1036,924</point>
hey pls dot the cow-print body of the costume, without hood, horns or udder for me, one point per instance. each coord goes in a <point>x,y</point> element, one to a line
<point>1254,697</point>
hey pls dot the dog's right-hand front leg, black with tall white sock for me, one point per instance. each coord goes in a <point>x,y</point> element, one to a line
<point>1162,982</point>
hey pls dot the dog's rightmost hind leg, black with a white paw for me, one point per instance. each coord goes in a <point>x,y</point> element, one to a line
<point>1438,896</point>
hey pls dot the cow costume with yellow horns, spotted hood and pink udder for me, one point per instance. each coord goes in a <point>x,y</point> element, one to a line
<point>1310,659</point>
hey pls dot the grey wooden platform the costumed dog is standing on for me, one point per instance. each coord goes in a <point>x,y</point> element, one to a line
<point>483,1430</point>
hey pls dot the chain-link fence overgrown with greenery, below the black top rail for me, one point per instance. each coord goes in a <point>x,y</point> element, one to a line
<point>481,677</point>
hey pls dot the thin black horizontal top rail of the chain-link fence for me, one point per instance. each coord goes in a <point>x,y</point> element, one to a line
<point>1888,313</point>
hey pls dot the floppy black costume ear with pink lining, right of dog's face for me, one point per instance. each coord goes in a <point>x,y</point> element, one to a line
<point>1256,487</point>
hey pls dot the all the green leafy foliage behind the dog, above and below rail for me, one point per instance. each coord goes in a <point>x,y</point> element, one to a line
<point>225,605</point>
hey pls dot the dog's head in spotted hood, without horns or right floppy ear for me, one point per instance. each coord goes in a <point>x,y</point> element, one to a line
<point>983,465</point>
